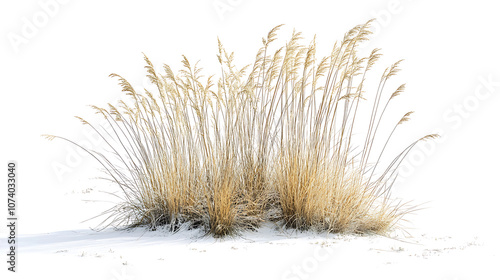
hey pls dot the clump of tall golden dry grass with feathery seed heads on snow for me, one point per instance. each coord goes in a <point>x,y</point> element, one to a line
<point>270,141</point>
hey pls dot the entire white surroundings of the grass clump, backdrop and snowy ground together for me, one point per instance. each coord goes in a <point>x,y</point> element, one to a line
<point>55,59</point>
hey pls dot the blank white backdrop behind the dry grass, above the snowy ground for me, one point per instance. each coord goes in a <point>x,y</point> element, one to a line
<point>55,60</point>
